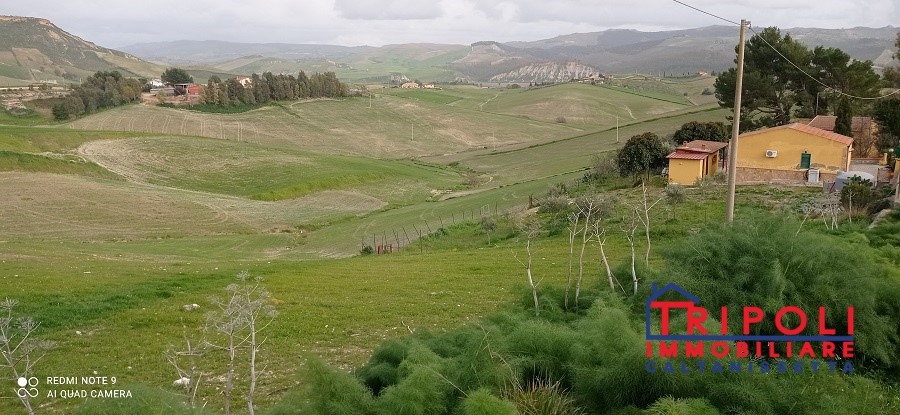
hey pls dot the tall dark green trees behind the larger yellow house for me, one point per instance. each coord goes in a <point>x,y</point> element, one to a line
<point>778,87</point>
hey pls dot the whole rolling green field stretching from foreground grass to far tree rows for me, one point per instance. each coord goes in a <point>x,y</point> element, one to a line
<point>112,222</point>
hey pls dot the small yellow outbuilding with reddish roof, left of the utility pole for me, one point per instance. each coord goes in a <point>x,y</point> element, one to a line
<point>694,160</point>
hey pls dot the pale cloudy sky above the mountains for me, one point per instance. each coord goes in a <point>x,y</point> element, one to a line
<point>116,23</point>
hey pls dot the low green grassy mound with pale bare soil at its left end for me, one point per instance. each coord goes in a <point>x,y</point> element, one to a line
<point>256,172</point>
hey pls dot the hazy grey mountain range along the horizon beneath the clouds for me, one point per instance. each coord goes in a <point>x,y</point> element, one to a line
<point>703,49</point>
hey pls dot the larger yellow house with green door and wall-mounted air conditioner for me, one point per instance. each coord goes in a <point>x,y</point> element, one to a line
<point>790,152</point>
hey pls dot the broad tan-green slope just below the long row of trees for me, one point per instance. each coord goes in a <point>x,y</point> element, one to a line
<point>391,128</point>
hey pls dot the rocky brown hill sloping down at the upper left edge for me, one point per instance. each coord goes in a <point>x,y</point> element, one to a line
<point>34,49</point>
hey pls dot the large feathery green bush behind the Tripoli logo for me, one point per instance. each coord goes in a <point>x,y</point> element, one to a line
<point>766,262</point>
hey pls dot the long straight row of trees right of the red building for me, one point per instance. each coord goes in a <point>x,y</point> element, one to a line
<point>269,87</point>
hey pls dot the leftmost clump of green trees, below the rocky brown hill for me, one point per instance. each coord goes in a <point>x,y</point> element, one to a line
<point>101,90</point>
